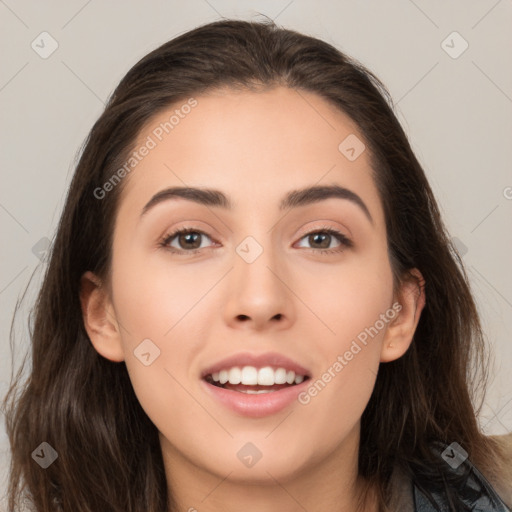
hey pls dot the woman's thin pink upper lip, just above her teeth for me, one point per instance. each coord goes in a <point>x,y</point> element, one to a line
<point>242,359</point>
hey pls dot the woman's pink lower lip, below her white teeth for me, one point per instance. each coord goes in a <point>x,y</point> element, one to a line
<point>255,405</point>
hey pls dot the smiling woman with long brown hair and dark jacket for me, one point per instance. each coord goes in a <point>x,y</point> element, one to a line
<point>253,369</point>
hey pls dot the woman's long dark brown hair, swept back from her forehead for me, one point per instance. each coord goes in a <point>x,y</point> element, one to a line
<point>85,406</point>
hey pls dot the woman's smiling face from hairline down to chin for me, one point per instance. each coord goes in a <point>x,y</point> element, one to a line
<point>307,288</point>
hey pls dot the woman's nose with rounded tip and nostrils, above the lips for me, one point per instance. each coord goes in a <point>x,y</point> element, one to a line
<point>259,295</point>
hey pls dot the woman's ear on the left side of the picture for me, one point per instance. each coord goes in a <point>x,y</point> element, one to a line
<point>99,318</point>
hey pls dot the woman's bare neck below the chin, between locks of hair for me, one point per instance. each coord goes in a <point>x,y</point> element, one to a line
<point>331,483</point>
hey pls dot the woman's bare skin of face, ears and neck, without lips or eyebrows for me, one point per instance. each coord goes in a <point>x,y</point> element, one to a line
<point>255,147</point>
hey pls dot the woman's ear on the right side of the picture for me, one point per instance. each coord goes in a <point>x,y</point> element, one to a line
<point>400,331</point>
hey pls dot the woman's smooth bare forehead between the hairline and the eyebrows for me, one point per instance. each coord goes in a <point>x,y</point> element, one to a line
<point>256,146</point>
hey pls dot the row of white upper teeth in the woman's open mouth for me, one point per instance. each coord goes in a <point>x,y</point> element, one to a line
<point>251,376</point>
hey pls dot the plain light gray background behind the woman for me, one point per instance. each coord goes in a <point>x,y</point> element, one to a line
<point>457,112</point>
